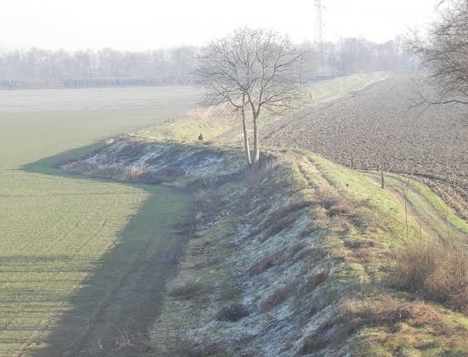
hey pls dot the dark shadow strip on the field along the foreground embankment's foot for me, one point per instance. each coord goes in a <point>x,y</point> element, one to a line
<point>122,297</point>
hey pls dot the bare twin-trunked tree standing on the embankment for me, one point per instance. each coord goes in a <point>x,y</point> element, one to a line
<point>253,71</point>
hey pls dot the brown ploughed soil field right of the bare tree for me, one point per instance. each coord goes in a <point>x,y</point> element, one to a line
<point>379,126</point>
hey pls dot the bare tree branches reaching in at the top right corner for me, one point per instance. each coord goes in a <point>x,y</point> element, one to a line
<point>444,52</point>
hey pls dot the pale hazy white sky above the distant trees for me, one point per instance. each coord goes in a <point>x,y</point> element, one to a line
<point>152,24</point>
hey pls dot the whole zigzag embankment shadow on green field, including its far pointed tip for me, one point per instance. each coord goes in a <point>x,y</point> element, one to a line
<point>114,310</point>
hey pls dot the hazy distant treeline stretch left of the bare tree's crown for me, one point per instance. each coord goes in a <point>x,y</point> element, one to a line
<point>107,67</point>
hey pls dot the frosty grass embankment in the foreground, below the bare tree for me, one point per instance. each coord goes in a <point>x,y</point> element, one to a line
<point>304,257</point>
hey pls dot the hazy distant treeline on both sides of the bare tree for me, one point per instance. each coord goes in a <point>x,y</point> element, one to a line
<point>42,68</point>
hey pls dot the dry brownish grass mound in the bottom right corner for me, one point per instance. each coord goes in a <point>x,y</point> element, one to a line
<point>416,328</point>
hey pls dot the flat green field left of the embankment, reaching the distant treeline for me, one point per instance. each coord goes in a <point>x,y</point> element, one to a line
<point>60,234</point>
